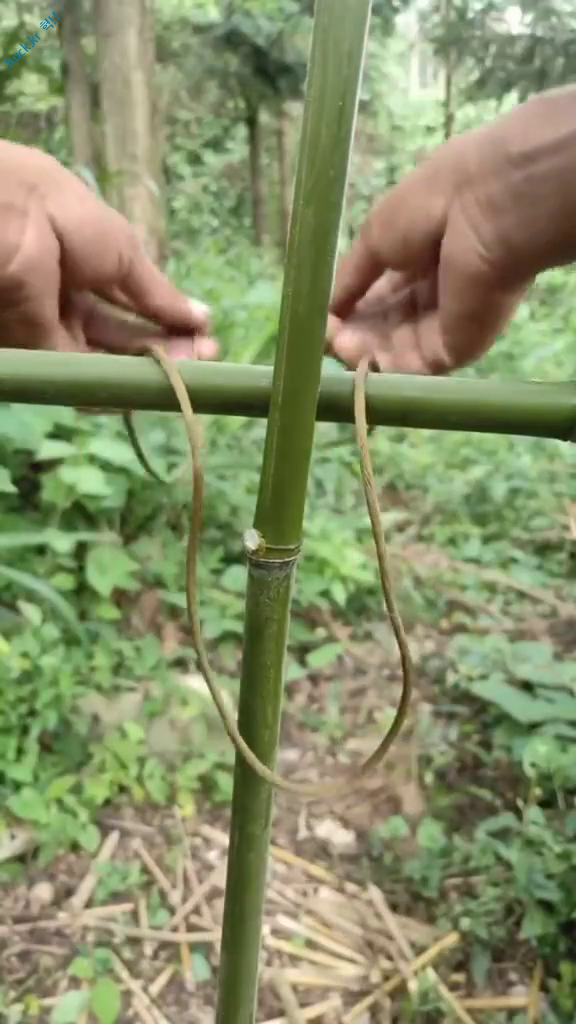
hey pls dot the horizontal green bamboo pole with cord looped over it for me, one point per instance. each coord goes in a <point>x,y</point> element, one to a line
<point>121,382</point>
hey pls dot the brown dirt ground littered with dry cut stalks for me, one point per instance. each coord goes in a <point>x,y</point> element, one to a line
<point>337,949</point>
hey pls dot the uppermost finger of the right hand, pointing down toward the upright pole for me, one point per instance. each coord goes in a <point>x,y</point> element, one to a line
<point>403,233</point>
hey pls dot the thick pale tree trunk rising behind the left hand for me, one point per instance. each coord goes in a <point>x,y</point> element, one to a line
<point>126,58</point>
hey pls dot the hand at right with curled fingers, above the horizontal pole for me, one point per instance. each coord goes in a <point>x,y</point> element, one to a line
<point>446,257</point>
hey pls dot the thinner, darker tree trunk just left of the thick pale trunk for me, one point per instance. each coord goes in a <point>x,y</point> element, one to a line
<point>77,88</point>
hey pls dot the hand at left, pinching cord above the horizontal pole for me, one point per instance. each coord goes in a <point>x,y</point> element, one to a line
<point>62,251</point>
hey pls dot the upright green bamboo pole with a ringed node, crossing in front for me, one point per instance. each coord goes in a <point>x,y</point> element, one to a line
<point>336,67</point>
